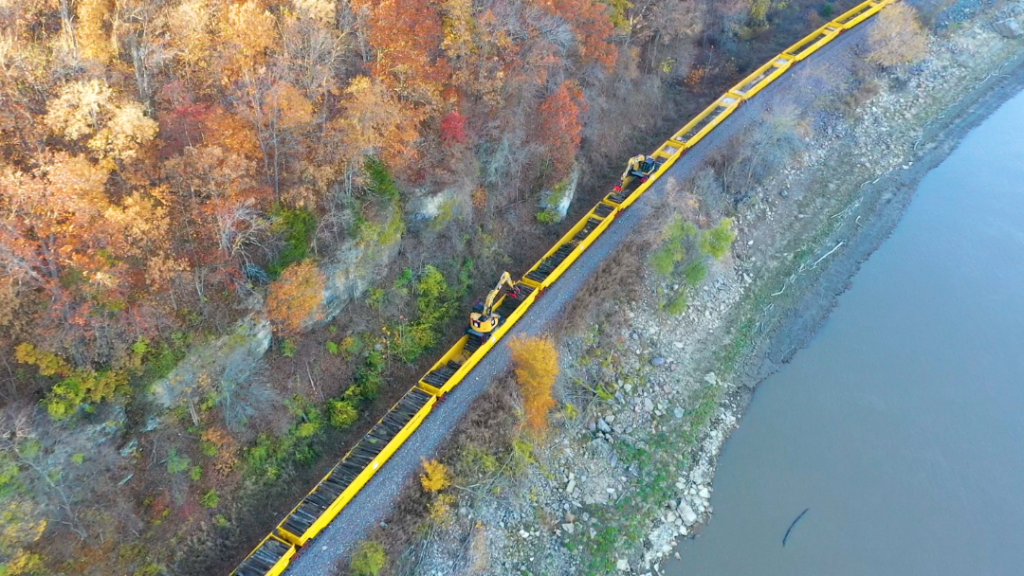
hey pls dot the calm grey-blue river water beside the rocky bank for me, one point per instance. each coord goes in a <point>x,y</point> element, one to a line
<point>902,426</point>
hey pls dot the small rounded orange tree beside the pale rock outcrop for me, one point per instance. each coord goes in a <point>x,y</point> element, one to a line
<point>295,299</point>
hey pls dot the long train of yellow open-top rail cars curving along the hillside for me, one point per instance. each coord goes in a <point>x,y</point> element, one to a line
<point>336,490</point>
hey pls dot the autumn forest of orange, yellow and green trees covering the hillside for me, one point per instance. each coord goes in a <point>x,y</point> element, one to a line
<point>172,168</point>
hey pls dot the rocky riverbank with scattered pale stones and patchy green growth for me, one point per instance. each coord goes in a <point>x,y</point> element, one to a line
<point>619,485</point>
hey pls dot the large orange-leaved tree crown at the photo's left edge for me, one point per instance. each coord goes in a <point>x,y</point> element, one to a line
<point>89,257</point>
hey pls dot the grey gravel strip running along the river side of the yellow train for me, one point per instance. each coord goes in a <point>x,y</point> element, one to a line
<point>373,504</point>
